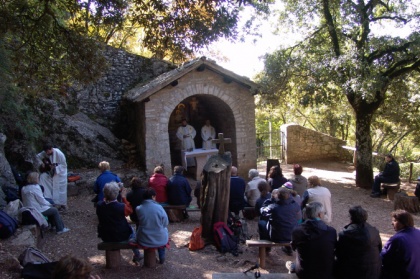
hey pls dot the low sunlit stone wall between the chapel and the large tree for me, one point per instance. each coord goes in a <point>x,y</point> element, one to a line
<point>302,144</point>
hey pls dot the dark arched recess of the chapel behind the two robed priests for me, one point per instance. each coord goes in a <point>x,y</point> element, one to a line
<point>197,109</point>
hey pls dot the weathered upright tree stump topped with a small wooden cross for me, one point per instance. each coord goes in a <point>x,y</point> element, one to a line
<point>215,189</point>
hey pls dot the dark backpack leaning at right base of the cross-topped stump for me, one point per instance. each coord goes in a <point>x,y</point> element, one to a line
<point>225,239</point>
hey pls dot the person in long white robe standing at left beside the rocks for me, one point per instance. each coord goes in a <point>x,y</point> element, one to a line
<point>54,181</point>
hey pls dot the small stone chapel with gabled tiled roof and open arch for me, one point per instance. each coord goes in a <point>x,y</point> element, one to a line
<point>197,90</point>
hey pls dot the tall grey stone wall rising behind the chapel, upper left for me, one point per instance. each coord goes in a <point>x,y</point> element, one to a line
<point>101,100</point>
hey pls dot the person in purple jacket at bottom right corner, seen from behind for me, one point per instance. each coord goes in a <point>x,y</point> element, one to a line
<point>401,253</point>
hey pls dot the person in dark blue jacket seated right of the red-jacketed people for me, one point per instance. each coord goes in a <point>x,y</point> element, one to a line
<point>179,189</point>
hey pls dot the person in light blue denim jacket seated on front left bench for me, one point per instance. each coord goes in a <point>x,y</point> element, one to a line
<point>153,224</point>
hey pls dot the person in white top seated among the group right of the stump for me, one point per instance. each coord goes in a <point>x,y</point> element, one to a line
<point>318,193</point>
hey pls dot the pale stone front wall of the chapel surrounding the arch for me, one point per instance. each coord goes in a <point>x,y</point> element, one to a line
<point>163,102</point>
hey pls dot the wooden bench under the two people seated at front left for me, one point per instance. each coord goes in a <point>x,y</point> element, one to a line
<point>113,255</point>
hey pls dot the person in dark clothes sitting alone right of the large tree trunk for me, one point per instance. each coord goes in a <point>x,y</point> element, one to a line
<point>391,174</point>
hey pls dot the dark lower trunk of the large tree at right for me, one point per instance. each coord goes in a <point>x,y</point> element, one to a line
<point>364,171</point>
